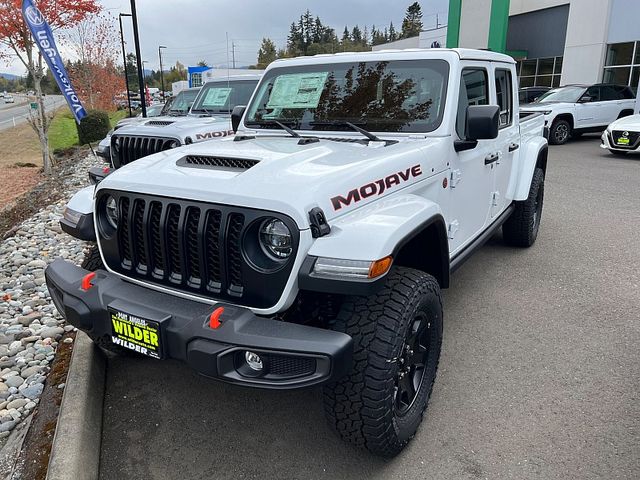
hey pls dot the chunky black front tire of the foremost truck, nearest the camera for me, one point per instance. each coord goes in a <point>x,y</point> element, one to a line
<point>361,407</point>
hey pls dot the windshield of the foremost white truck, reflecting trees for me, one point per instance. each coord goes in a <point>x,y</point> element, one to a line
<point>385,96</point>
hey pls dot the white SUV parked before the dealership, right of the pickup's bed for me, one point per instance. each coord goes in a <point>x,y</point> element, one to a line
<point>576,109</point>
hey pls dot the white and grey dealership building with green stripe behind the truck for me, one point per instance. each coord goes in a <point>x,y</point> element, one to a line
<point>556,42</point>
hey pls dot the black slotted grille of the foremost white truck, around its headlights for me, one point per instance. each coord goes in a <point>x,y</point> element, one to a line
<point>193,247</point>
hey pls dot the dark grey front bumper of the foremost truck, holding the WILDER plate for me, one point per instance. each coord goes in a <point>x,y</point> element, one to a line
<point>295,355</point>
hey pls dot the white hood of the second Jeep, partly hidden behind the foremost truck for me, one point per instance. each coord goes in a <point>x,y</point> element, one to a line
<point>197,128</point>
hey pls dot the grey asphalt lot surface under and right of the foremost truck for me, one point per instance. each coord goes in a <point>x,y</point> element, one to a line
<point>539,375</point>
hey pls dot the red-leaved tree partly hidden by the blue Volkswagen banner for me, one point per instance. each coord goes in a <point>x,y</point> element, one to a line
<point>16,40</point>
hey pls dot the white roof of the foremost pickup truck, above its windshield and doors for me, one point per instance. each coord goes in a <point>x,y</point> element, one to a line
<point>396,54</point>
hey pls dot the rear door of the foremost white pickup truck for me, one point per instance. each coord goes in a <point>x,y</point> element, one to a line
<point>508,141</point>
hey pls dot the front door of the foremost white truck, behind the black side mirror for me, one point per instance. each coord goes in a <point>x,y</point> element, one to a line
<point>471,180</point>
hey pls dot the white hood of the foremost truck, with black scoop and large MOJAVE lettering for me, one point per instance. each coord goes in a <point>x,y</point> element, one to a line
<point>284,176</point>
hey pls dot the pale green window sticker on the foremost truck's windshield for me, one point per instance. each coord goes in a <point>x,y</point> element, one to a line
<point>297,90</point>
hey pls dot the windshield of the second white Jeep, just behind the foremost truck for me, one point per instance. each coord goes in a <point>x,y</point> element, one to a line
<point>222,97</point>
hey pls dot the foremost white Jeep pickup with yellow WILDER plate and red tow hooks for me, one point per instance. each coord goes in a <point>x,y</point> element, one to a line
<point>312,247</point>
